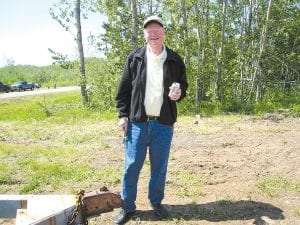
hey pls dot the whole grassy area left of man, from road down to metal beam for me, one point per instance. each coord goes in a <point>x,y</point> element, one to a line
<point>44,145</point>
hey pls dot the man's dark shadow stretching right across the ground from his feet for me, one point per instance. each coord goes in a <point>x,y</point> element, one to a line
<point>220,211</point>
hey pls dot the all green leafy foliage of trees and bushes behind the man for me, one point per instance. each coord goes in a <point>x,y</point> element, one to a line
<point>195,30</point>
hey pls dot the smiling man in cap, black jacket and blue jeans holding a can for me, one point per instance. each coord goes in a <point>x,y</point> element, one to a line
<point>147,112</point>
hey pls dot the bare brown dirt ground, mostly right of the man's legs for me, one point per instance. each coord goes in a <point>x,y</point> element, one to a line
<point>214,171</point>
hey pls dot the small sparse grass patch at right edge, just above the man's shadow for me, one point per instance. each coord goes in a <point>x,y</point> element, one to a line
<point>274,185</point>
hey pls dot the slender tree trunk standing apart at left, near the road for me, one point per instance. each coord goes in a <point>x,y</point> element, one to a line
<point>81,54</point>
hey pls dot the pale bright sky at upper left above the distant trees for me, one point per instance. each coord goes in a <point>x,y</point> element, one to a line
<point>27,30</point>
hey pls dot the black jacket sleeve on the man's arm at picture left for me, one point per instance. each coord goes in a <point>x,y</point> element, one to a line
<point>123,97</point>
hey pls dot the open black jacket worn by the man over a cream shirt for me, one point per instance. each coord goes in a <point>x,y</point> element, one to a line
<point>131,92</point>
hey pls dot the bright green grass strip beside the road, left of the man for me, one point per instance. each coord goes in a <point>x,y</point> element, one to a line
<point>54,108</point>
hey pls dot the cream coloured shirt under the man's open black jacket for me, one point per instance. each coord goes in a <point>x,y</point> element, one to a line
<point>154,82</point>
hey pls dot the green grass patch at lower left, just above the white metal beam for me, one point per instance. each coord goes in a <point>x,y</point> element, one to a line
<point>38,169</point>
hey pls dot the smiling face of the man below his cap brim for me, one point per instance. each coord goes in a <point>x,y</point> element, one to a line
<point>154,35</point>
